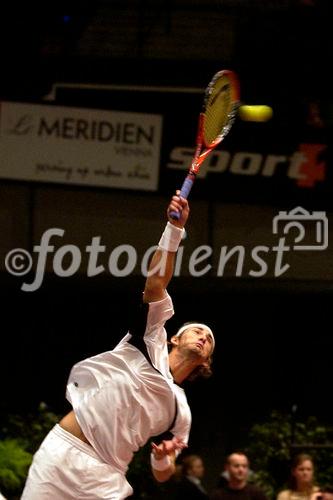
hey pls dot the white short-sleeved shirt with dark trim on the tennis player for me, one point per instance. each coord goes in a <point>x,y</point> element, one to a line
<point>122,398</point>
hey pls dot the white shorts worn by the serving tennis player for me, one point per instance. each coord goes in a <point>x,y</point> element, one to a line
<point>66,468</point>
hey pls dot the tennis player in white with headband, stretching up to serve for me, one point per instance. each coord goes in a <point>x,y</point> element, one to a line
<point>124,397</point>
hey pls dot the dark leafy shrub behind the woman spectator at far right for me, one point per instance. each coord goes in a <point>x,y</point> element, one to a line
<point>272,447</point>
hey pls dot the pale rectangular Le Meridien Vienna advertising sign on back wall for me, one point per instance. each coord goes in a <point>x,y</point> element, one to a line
<point>80,146</point>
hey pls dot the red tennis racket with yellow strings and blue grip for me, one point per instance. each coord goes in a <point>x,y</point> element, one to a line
<point>221,102</point>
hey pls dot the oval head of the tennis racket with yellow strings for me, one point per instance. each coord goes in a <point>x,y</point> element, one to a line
<point>221,103</point>
